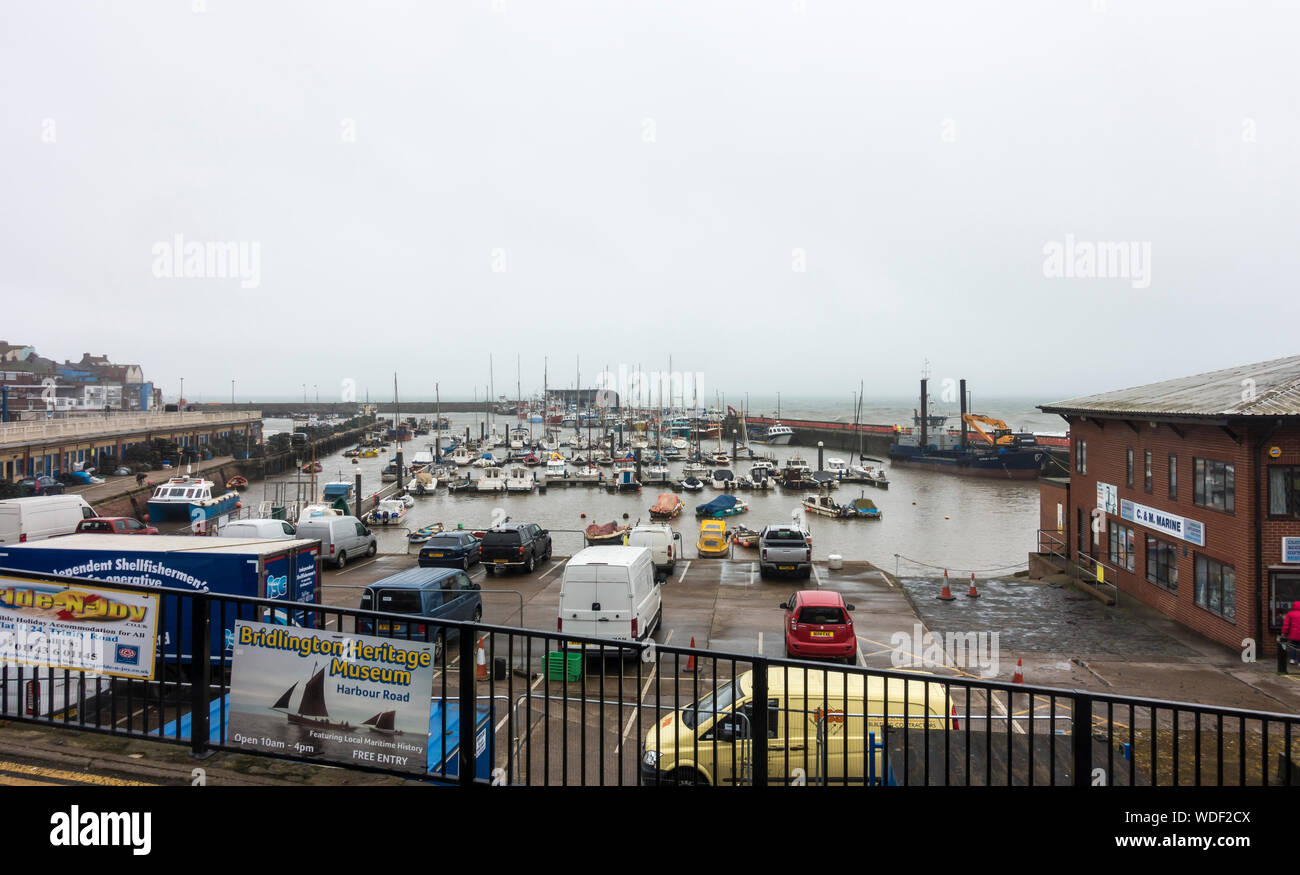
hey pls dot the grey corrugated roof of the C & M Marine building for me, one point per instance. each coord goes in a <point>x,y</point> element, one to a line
<point>1262,389</point>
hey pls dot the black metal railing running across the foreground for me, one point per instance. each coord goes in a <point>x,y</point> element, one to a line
<point>562,709</point>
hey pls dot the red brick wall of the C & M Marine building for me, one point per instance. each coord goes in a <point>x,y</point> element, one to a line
<point>1229,538</point>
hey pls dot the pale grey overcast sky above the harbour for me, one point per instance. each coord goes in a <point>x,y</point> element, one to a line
<point>783,196</point>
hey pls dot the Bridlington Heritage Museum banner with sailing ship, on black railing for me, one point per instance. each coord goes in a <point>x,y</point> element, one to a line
<point>358,700</point>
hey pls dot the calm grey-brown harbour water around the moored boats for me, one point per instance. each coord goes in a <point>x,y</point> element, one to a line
<point>930,521</point>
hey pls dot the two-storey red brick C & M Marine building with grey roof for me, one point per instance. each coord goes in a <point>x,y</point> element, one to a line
<point>1188,492</point>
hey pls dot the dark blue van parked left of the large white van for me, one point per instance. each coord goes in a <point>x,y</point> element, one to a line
<point>427,594</point>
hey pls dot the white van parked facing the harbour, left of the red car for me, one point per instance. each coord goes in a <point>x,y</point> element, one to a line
<point>610,594</point>
